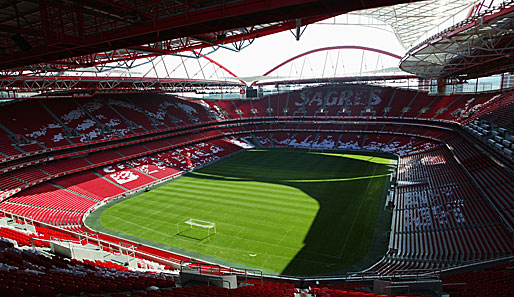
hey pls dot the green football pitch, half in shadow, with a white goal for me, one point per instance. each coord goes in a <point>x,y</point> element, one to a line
<point>284,211</point>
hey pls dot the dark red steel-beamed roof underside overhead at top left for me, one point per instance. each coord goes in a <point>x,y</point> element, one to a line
<point>84,33</point>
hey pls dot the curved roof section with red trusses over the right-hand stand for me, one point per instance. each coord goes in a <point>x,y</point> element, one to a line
<point>479,46</point>
